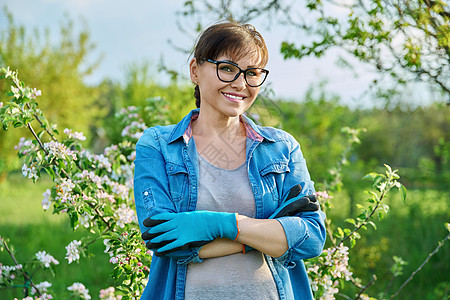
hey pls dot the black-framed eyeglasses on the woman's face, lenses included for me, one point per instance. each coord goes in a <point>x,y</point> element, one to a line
<point>229,72</point>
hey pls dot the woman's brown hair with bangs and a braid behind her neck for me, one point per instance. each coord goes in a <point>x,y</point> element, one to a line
<point>233,39</point>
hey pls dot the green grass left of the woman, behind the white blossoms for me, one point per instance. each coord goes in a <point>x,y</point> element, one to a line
<point>30,229</point>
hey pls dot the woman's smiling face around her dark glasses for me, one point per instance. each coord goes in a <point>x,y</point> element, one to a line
<point>230,99</point>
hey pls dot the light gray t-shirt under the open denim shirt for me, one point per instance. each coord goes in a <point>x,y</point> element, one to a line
<point>236,276</point>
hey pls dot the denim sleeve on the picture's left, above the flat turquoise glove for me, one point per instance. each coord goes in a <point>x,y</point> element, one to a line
<point>151,186</point>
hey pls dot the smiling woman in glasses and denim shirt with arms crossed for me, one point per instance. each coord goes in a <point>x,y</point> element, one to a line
<point>208,187</point>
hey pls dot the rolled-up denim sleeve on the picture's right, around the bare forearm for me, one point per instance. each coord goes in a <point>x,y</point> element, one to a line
<point>305,232</point>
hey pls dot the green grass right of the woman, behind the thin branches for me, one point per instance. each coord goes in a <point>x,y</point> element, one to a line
<point>410,231</point>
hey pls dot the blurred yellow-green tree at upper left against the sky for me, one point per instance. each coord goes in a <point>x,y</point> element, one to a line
<point>58,70</point>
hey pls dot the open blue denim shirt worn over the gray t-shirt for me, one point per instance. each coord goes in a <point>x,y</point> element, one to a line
<point>166,180</point>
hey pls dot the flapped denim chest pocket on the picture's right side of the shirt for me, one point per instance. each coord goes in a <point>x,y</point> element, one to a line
<point>272,177</point>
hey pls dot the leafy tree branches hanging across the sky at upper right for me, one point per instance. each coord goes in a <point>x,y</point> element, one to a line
<point>402,40</point>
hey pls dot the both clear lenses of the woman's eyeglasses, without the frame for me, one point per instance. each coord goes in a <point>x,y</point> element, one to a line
<point>229,72</point>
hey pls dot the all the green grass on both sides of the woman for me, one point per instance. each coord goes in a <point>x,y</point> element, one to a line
<point>410,231</point>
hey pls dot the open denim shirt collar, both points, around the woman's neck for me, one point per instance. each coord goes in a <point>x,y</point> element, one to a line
<point>183,129</point>
